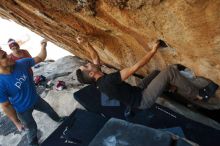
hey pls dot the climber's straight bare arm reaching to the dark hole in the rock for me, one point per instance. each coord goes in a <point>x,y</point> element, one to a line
<point>127,72</point>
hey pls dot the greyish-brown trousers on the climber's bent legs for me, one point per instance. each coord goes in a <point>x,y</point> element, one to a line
<point>154,85</point>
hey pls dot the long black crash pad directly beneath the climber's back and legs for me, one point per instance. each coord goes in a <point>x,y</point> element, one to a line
<point>157,116</point>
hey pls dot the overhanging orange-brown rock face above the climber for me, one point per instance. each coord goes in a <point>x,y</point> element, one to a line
<point>121,31</point>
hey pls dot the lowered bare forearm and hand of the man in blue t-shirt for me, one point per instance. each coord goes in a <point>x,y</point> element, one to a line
<point>11,114</point>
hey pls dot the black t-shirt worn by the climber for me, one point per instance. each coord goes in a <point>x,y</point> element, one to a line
<point>115,88</point>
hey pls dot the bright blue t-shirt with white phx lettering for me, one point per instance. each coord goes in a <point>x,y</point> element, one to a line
<point>18,87</point>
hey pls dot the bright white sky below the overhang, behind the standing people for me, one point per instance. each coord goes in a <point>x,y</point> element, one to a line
<point>10,29</point>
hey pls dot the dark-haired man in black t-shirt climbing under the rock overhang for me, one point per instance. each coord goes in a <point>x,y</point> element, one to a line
<point>149,89</point>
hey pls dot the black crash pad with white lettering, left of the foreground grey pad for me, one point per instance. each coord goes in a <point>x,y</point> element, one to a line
<point>78,129</point>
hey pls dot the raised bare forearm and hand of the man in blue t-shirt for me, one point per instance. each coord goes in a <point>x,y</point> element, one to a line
<point>43,53</point>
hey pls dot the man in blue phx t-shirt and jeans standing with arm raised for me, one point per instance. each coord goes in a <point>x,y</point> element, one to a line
<point>18,96</point>
